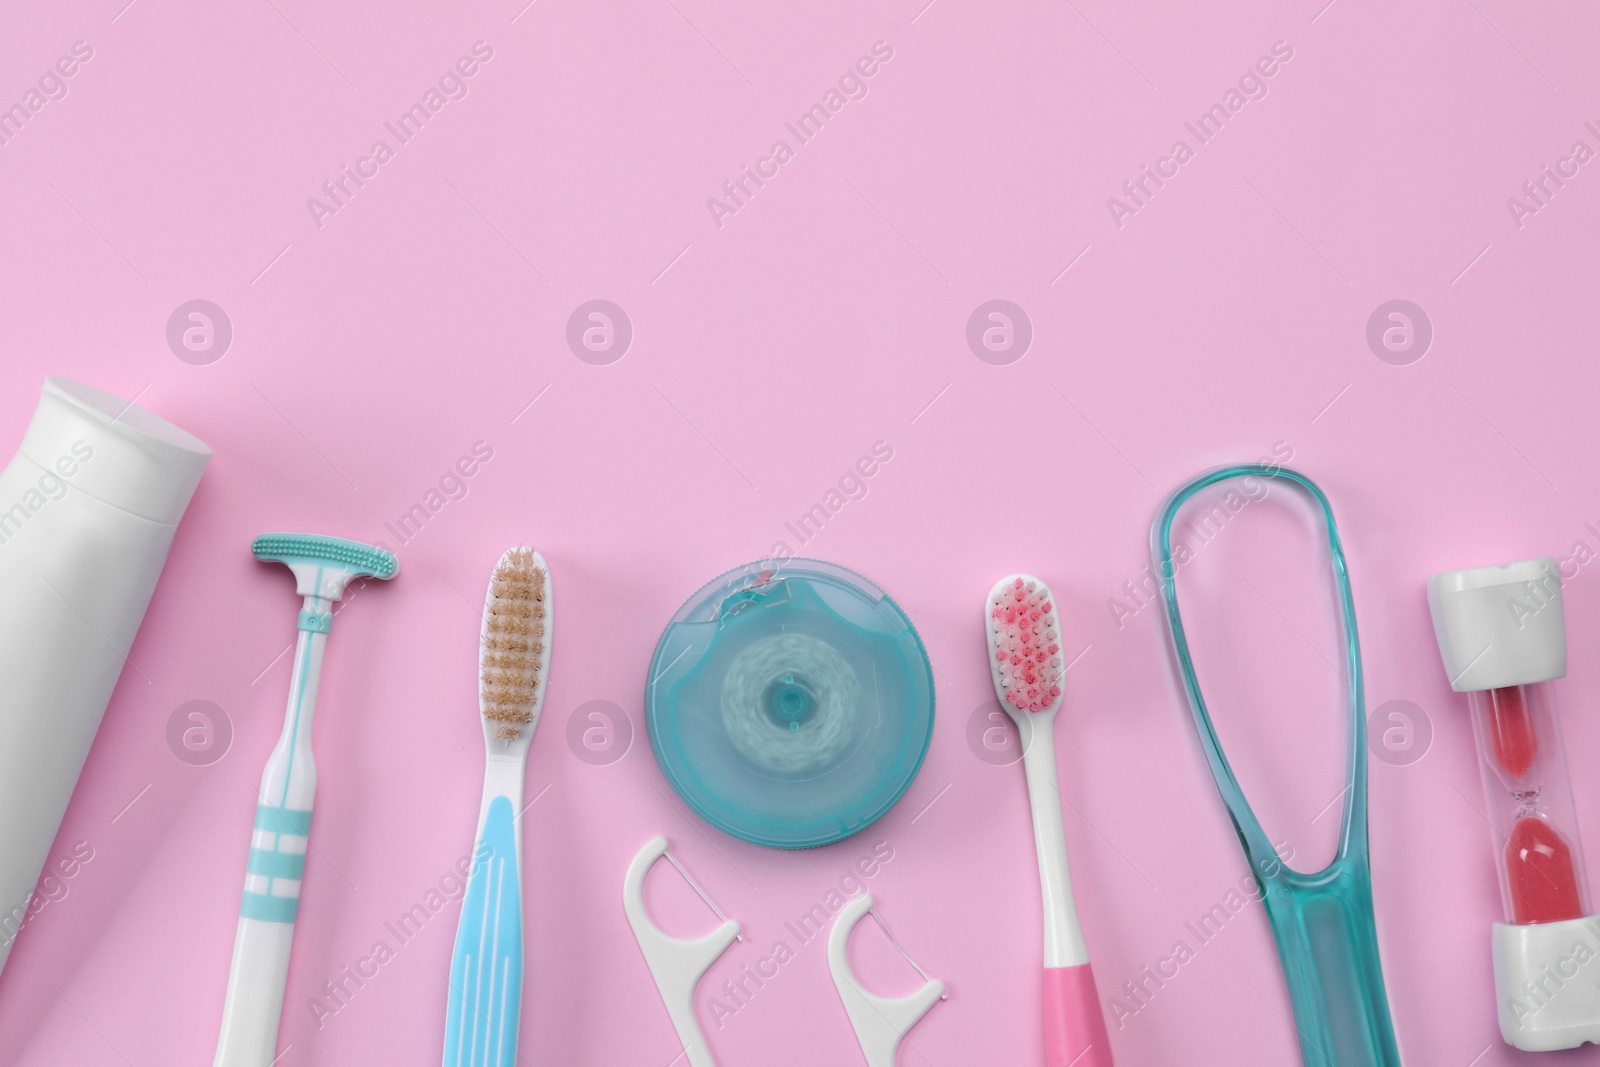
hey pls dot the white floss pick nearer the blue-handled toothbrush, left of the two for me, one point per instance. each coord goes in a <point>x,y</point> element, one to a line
<point>678,965</point>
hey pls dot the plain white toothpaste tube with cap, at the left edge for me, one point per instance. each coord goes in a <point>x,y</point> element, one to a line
<point>89,508</point>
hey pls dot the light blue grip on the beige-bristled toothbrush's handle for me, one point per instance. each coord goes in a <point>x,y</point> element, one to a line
<point>486,972</point>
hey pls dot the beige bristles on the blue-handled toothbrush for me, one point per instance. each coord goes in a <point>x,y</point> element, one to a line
<point>513,644</point>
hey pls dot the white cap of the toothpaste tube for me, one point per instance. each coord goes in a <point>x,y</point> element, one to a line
<point>116,452</point>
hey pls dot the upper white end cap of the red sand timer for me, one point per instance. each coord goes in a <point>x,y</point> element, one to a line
<point>1500,626</point>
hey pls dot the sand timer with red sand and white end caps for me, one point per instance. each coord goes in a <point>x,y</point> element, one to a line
<point>1503,637</point>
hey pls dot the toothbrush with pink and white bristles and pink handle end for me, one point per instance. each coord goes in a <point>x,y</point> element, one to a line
<point>1025,660</point>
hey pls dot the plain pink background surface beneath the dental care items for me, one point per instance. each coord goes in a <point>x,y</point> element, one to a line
<point>828,314</point>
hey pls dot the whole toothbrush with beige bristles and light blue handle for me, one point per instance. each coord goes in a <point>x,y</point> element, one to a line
<point>514,665</point>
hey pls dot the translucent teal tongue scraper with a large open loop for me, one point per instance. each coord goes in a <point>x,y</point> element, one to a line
<point>1322,921</point>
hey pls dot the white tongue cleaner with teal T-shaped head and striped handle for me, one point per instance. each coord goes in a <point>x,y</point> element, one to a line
<point>278,850</point>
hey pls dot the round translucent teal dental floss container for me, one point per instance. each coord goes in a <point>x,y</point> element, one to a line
<point>790,703</point>
